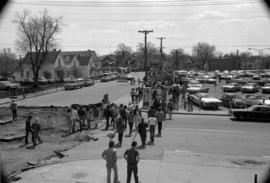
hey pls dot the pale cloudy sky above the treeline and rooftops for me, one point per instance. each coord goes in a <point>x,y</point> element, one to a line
<point>101,25</point>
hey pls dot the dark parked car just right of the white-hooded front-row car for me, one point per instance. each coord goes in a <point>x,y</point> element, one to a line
<point>232,100</point>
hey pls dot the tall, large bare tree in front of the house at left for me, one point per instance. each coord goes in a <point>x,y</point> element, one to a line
<point>36,35</point>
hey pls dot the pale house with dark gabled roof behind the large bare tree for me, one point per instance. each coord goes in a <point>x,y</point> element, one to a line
<point>59,65</point>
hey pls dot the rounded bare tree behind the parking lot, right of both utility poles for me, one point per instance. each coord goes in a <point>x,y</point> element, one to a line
<point>203,52</point>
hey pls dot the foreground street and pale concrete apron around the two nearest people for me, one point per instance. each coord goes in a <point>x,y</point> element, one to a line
<point>192,149</point>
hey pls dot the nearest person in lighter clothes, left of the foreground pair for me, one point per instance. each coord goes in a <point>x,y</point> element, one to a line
<point>110,156</point>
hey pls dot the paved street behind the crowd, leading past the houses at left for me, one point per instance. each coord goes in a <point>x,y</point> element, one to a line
<point>85,95</point>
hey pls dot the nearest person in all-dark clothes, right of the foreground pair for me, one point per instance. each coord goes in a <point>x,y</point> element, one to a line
<point>132,157</point>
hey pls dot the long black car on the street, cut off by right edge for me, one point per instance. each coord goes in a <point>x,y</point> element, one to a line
<point>255,112</point>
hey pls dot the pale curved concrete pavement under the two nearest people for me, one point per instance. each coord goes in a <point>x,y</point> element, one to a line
<point>175,167</point>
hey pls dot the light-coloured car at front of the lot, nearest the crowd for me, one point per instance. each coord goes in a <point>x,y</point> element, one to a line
<point>205,100</point>
